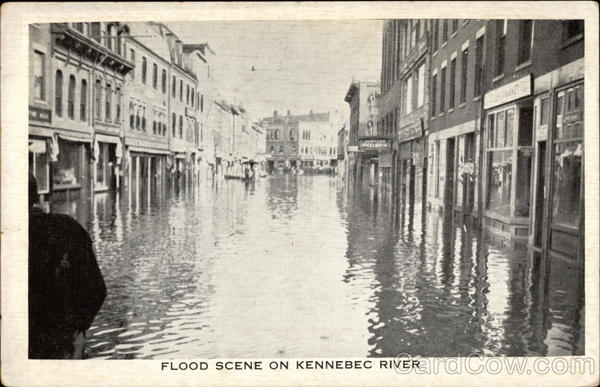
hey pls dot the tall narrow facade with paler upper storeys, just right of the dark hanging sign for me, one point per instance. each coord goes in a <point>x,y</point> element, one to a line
<point>404,105</point>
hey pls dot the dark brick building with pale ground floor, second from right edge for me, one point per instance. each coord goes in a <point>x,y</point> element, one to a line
<point>455,114</point>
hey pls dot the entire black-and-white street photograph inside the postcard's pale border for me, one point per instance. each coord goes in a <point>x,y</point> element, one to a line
<point>290,189</point>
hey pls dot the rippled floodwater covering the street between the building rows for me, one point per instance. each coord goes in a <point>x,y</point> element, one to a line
<point>294,266</point>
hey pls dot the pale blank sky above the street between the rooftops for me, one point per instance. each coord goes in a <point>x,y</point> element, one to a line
<point>298,65</point>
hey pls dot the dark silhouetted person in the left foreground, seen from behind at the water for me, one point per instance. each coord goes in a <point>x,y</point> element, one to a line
<point>66,288</point>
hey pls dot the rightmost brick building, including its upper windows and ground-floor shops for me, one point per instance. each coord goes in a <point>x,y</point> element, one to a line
<point>533,142</point>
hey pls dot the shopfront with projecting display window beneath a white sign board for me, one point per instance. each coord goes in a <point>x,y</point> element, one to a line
<point>508,159</point>
